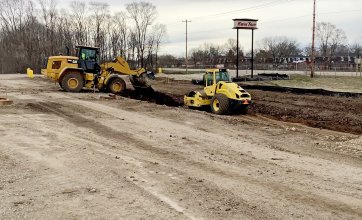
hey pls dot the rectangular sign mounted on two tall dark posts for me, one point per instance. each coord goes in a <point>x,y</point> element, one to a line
<point>245,23</point>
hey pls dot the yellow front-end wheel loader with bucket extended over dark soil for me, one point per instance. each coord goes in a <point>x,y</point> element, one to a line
<point>73,73</point>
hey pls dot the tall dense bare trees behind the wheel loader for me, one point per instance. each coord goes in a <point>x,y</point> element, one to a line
<point>32,30</point>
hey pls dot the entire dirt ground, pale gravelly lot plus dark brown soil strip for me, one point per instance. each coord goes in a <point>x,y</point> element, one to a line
<point>82,156</point>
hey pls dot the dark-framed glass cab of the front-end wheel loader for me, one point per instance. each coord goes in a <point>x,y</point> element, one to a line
<point>88,58</point>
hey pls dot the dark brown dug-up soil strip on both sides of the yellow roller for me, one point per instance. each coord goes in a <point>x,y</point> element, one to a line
<point>329,112</point>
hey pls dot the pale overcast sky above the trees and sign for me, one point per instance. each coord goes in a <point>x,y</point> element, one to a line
<point>211,20</point>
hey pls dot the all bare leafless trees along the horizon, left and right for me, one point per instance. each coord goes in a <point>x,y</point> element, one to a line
<point>32,30</point>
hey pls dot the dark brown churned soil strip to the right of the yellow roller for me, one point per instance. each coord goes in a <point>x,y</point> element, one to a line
<point>334,113</point>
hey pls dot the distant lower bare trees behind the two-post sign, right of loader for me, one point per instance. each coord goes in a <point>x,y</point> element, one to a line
<point>331,43</point>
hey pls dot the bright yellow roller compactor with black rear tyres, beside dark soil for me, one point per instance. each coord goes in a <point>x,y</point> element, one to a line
<point>220,94</point>
